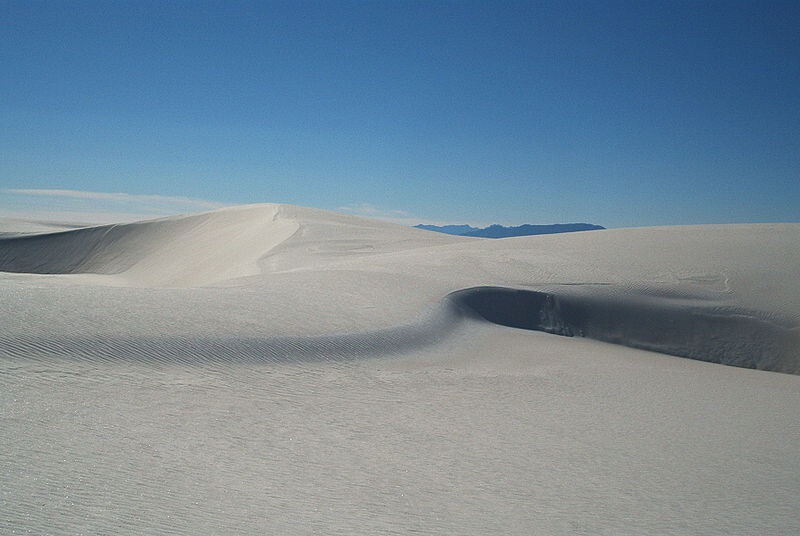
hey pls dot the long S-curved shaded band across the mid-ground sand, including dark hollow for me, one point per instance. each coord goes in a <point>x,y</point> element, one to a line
<point>699,331</point>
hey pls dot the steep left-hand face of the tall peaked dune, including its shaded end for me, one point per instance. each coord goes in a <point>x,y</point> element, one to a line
<point>179,251</point>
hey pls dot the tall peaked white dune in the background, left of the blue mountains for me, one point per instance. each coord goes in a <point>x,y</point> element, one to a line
<point>202,249</point>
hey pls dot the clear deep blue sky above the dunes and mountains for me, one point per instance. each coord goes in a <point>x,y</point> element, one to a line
<point>616,113</point>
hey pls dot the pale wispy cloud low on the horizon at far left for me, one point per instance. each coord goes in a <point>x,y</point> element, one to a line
<point>95,207</point>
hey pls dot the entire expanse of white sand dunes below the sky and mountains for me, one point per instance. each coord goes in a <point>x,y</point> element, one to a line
<point>289,369</point>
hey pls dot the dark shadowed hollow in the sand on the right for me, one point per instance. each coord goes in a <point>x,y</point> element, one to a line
<point>722,335</point>
